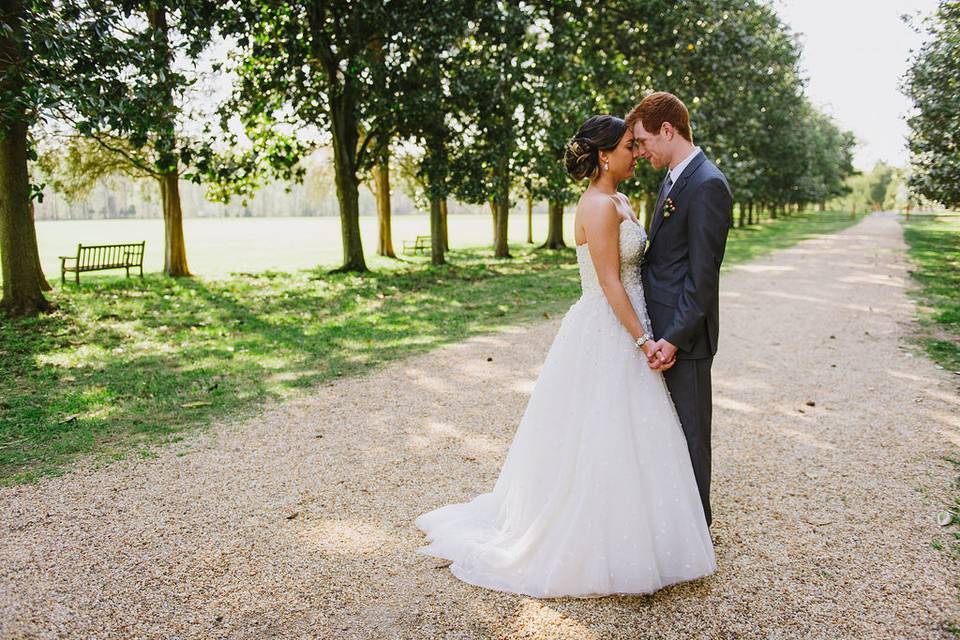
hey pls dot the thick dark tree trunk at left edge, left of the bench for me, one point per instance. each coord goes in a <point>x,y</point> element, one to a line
<point>19,258</point>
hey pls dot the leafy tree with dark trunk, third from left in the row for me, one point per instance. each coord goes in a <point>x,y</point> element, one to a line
<point>331,66</point>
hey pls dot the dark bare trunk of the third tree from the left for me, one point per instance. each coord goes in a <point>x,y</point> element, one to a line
<point>343,126</point>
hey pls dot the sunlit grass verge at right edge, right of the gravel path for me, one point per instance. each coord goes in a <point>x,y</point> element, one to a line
<point>935,249</point>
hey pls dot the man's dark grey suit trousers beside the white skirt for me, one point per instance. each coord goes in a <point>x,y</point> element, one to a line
<point>690,389</point>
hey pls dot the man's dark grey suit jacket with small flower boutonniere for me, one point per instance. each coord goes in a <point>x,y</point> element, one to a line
<point>681,269</point>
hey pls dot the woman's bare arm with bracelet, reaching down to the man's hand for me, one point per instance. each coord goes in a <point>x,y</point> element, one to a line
<point>602,228</point>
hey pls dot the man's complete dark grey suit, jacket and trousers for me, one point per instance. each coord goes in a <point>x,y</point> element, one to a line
<point>681,272</point>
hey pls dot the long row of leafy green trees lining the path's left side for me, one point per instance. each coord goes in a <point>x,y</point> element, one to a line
<point>479,98</point>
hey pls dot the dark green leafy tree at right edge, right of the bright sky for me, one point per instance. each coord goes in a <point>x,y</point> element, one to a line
<point>933,84</point>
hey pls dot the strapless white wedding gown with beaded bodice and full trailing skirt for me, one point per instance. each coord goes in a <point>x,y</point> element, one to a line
<point>597,494</point>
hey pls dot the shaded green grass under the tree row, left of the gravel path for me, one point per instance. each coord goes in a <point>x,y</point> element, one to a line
<point>126,364</point>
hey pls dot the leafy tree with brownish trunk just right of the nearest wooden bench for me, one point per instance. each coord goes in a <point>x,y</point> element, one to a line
<point>136,116</point>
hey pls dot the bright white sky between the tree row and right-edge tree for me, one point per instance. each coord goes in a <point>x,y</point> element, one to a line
<point>854,54</point>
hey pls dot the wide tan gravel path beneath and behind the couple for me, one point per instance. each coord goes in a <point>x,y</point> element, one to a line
<point>299,523</point>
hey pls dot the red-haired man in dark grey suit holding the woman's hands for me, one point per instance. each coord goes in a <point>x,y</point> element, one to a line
<point>681,268</point>
